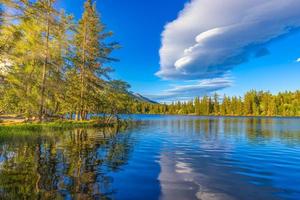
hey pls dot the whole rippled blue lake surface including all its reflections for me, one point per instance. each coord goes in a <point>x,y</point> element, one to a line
<point>159,157</point>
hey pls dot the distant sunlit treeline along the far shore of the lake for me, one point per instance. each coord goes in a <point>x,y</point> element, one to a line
<point>253,103</point>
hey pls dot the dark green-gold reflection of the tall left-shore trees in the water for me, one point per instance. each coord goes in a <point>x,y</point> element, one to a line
<point>62,165</point>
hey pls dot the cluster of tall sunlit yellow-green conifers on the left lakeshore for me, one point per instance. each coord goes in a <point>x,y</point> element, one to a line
<point>53,65</point>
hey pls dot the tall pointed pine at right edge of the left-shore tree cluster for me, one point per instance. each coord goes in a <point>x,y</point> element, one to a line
<point>91,54</point>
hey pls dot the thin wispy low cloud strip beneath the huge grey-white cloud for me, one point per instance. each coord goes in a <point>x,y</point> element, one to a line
<point>190,90</point>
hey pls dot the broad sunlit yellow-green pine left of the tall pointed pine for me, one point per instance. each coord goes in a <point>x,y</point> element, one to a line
<point>35,55</point>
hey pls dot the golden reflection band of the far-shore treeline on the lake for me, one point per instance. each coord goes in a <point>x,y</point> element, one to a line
<point>251,127</point>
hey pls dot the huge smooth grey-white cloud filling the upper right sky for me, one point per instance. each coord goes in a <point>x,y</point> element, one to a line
<point>209,37</point>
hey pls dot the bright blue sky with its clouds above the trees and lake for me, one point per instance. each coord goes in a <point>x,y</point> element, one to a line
<point>139,26</point>
